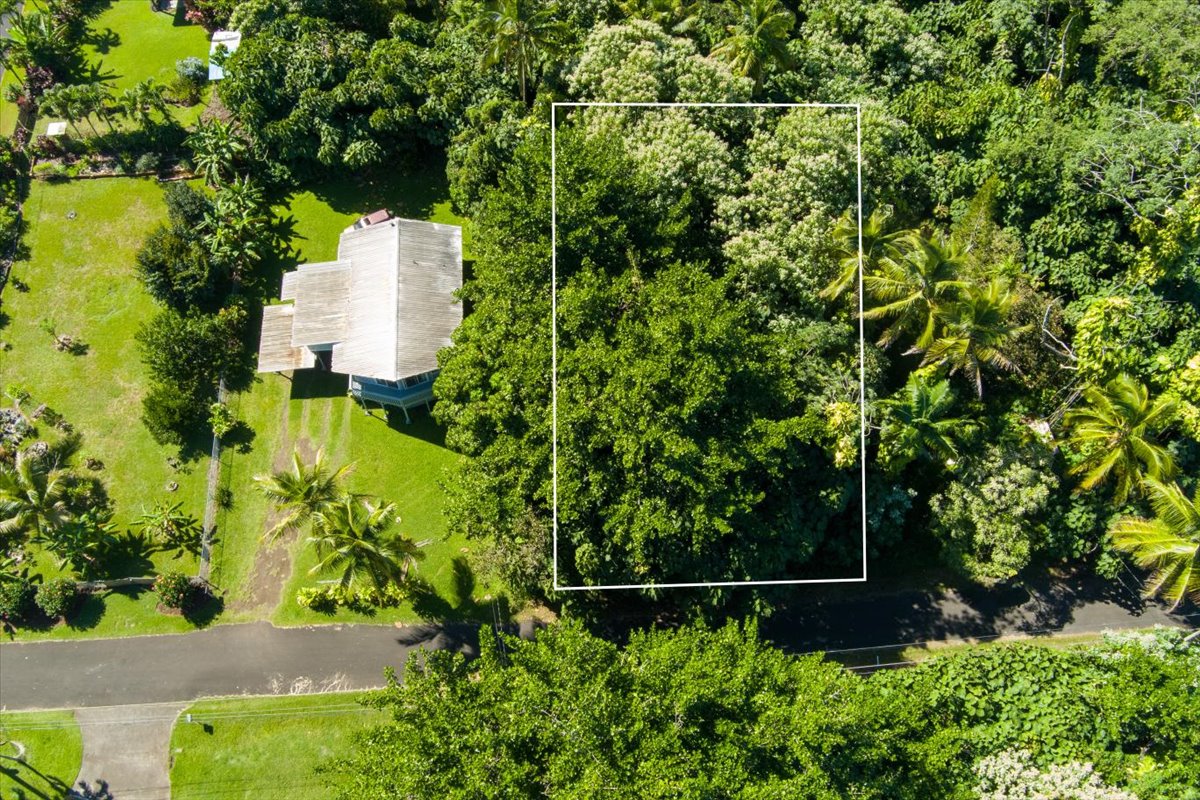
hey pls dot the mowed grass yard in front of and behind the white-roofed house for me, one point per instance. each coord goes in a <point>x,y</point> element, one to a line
<point>395,461</point>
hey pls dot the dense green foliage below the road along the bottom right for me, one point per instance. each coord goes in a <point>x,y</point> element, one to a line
<point>689,713</point>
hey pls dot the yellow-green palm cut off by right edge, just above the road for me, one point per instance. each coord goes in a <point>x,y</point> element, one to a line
<point>1169,544</point>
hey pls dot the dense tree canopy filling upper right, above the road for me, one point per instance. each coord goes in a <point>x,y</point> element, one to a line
<point>1031,237</point>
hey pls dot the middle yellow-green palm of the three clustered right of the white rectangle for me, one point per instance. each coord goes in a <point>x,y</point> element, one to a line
<point>915,280</point>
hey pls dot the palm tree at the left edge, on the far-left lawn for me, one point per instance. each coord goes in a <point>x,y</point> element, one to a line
<point>33,497</point>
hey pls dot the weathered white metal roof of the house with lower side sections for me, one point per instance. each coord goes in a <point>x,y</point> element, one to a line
<point>385,308</point>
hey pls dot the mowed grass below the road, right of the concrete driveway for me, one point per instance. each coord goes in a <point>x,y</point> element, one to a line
<point>263,748</point>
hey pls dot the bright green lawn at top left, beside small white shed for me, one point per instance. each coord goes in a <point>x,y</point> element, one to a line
<point>131,44</point>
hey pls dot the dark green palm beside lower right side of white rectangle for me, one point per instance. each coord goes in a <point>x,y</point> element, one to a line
<point>916,424</point>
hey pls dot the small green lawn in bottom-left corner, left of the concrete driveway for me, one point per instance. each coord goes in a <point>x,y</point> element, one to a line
<point>51,750</point>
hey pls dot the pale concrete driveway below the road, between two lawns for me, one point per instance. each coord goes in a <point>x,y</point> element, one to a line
<point>128,749</point>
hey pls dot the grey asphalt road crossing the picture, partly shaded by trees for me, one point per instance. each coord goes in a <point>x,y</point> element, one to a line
<point>259,659</point>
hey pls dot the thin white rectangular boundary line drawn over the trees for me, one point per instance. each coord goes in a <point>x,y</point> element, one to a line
<point>554,329</point>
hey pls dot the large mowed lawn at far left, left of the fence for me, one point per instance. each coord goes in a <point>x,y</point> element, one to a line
<point>82,240</point>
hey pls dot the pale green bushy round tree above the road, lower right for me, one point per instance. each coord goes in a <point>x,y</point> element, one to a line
<point>993,516</point>
